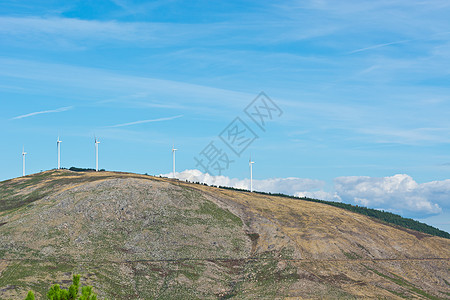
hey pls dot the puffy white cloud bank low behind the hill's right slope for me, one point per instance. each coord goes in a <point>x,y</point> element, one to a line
<point>398,194</point>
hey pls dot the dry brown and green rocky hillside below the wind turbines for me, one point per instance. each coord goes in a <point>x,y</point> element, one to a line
<point>140,237</point>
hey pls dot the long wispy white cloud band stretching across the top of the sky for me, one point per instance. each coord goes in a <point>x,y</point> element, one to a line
<point>79,34</point>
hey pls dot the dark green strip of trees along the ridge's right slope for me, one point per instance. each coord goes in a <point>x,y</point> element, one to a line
<point>384,216</point>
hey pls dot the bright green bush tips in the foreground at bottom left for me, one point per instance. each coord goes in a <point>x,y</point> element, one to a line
<point>73,293</point>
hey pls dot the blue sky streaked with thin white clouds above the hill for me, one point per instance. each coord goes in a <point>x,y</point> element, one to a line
<point>363,87</point>
